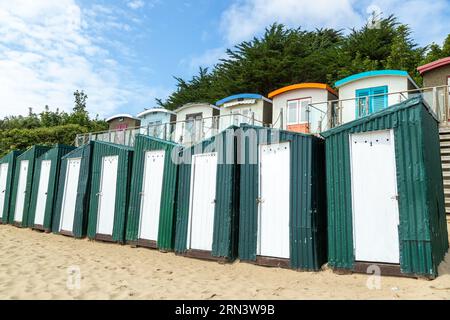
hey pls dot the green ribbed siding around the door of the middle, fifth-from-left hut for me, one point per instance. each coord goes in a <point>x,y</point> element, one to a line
<point>125,154</point>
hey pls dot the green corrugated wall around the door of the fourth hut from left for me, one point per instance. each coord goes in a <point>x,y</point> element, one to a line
<point>83,193</point>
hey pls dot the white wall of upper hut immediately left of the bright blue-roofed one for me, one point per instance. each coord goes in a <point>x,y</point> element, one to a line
<point>207,112</point>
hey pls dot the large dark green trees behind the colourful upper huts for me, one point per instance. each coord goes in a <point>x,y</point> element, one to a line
<point>284,56</point>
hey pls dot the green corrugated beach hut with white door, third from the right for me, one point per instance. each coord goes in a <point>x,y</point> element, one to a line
<point>208,199</point>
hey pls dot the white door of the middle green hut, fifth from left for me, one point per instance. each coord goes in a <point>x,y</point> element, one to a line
<point>107,195</point>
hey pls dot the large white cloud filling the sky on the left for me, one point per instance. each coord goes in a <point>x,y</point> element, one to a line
<point>47,52</point>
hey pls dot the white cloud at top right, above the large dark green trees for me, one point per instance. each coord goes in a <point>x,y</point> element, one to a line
<point>246,18</point>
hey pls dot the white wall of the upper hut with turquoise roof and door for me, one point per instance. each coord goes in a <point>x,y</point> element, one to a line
<point>348,91</point>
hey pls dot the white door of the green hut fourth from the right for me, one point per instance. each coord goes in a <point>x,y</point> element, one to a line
<point>151,194</point>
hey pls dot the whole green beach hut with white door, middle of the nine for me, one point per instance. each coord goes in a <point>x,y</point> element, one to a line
<point>110,188</point>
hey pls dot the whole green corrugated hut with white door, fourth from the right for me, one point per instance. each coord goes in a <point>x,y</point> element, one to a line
<point>152,209</point>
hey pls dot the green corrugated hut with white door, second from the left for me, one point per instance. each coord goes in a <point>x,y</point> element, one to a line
<point>23,185</point>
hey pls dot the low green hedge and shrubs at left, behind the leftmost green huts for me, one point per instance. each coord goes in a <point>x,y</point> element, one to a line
<point>48,127</point>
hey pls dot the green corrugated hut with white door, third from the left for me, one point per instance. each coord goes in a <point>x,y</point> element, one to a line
<point>45,184</point>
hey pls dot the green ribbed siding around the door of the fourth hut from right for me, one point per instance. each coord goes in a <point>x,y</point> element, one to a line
<point>167,219</point>
